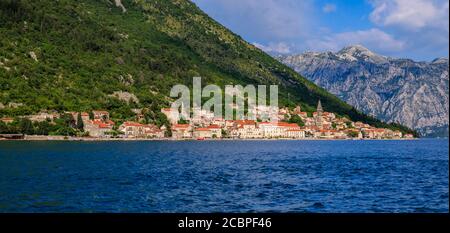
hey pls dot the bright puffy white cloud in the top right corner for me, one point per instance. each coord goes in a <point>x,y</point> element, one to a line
<point>411,14</point>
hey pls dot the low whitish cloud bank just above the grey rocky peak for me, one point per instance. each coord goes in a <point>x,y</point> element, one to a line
<point>374,39</point>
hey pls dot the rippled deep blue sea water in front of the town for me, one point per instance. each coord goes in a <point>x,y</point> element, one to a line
<point>225,176</point>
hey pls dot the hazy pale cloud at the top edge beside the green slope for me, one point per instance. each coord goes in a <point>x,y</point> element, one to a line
<point>271,20</point>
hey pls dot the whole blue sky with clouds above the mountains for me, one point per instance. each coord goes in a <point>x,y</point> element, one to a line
<point>415,29</point>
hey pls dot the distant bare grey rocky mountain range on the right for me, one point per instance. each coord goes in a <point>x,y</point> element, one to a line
<point>412,93</point>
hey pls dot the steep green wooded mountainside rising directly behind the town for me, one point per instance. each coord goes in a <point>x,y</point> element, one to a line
<point>77,55</point>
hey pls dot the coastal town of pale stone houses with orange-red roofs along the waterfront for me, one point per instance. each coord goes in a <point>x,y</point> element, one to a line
<point>289,124</point>
